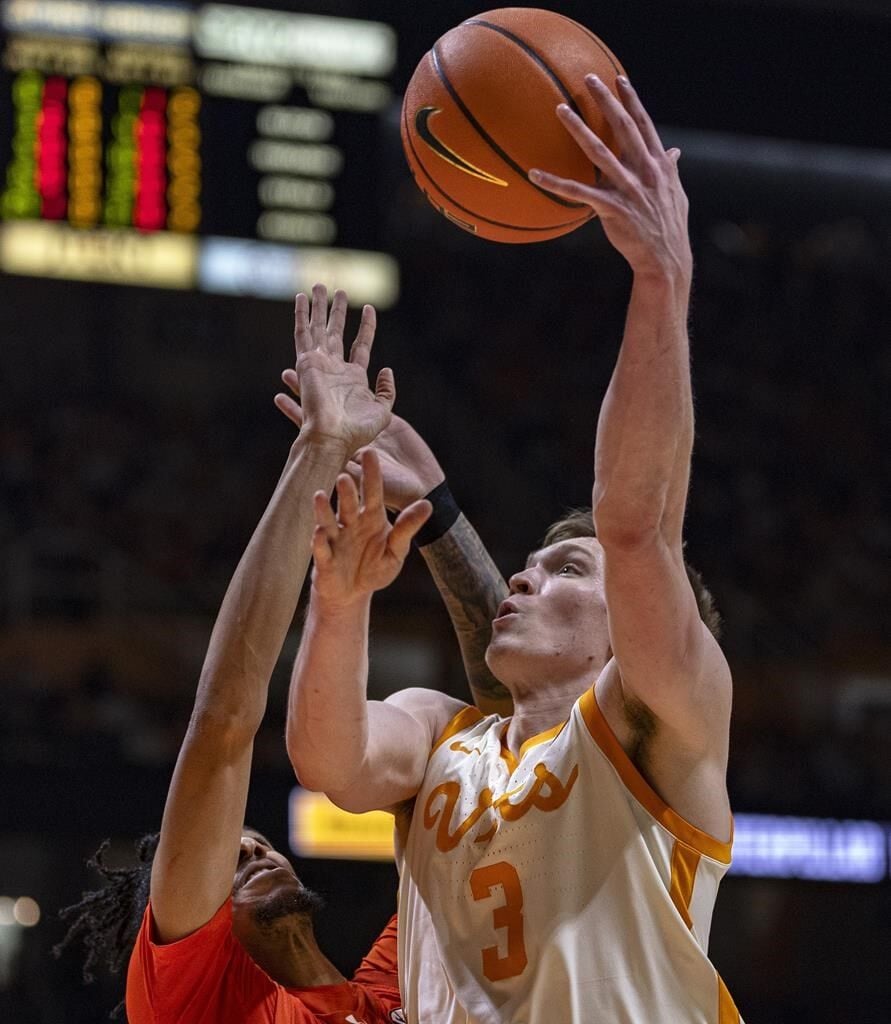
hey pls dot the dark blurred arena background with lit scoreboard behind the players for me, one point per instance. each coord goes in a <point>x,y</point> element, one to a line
<point>143,343</point>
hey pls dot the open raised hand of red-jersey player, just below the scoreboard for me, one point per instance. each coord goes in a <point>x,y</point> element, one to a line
<point>336,404</point>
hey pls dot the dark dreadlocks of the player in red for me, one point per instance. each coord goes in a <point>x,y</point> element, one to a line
<point>108,920</point>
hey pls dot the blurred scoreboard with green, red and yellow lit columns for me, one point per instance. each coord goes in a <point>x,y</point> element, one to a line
<point>229,149</point>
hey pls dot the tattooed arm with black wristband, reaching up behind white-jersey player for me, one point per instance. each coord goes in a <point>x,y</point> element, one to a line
<point>469,581</point>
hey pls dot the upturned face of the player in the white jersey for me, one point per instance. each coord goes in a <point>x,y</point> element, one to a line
<point>554,627</point>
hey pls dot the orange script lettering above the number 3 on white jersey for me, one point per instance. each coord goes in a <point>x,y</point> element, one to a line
<point>546,794</point>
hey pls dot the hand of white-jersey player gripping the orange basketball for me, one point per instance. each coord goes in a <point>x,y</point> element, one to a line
<point>640,200</point>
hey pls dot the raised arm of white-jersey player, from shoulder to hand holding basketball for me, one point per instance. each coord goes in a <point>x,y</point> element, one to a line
<point>666,656</point>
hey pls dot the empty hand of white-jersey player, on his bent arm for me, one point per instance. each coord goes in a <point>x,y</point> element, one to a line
<point>358,550</point>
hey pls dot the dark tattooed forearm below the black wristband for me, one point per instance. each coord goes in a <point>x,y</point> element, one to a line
<point>473,588</point>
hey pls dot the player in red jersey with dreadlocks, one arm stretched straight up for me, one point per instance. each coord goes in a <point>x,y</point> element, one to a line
<point>227,934</point>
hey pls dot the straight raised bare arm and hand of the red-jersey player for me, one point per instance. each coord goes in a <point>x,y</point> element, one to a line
<point>203,820</point>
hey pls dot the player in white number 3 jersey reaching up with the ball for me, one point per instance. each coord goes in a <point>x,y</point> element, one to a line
<point>561,865</point>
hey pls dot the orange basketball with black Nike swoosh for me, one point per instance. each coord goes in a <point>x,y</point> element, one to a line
<point>480,112</point>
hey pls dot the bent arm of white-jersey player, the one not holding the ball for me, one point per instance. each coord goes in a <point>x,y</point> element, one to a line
<point>364,754</point>
